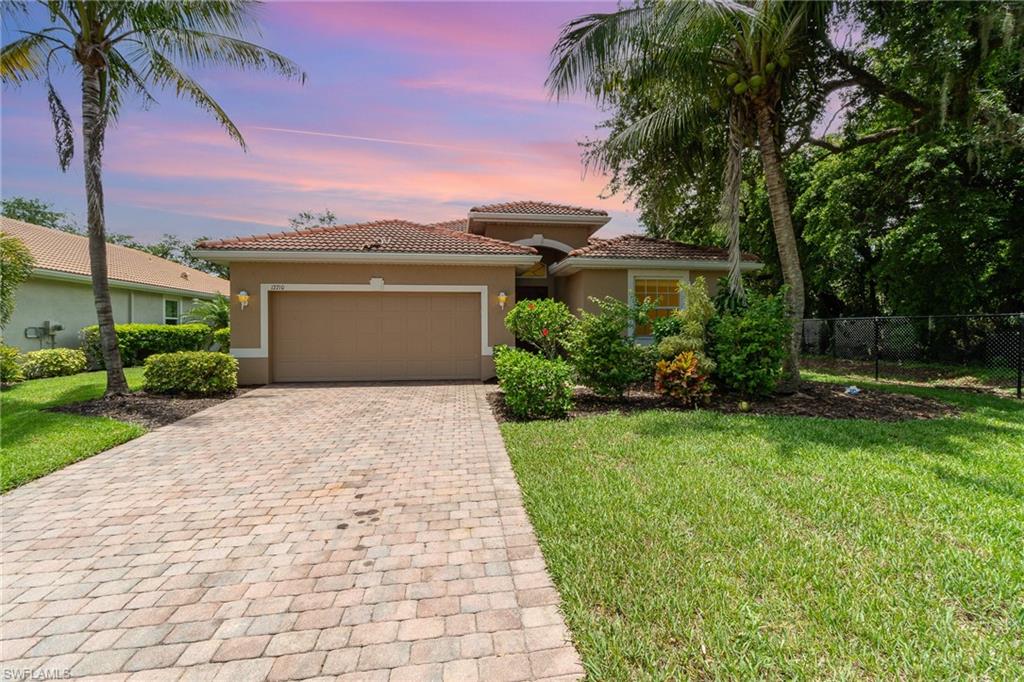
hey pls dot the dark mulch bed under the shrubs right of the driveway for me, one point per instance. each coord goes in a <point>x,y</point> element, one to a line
<point>814,400</point>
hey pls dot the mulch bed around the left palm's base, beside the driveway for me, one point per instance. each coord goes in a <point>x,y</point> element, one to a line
<point>146,410</point>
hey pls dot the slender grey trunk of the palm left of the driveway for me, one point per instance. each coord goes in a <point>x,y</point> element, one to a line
<point>94,129</point>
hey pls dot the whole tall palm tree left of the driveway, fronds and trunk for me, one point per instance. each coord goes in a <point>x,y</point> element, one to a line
<point>123,50</point>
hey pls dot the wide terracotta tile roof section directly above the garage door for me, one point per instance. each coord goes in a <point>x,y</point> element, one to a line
<point>378,237</point>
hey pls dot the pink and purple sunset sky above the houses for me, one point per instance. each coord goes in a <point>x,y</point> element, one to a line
<point>416,111</point>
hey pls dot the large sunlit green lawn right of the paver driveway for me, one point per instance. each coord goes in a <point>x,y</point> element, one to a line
<point>701,545</point>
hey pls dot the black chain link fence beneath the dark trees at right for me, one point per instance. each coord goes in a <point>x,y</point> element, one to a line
<point>984,352</point>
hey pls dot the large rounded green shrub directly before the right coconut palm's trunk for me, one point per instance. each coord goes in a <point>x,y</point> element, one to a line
<point>750,345</point>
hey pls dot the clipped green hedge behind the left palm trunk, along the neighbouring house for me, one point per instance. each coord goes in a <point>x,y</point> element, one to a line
<point>138,343</point>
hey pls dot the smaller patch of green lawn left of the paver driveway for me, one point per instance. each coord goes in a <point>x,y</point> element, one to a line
<point>35,443</point>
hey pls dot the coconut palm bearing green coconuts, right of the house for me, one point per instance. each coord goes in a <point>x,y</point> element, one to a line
<point>720,65</point>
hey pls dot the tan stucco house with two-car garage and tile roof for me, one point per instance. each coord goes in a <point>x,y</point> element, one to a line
<point>394,301</point>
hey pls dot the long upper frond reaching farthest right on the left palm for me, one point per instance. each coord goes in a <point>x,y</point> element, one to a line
<point>199,49</point>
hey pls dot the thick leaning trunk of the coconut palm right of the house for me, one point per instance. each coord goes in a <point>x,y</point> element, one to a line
<point>786,240</point>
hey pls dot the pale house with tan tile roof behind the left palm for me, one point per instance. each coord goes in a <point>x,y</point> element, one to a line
<point>144,288</point>
